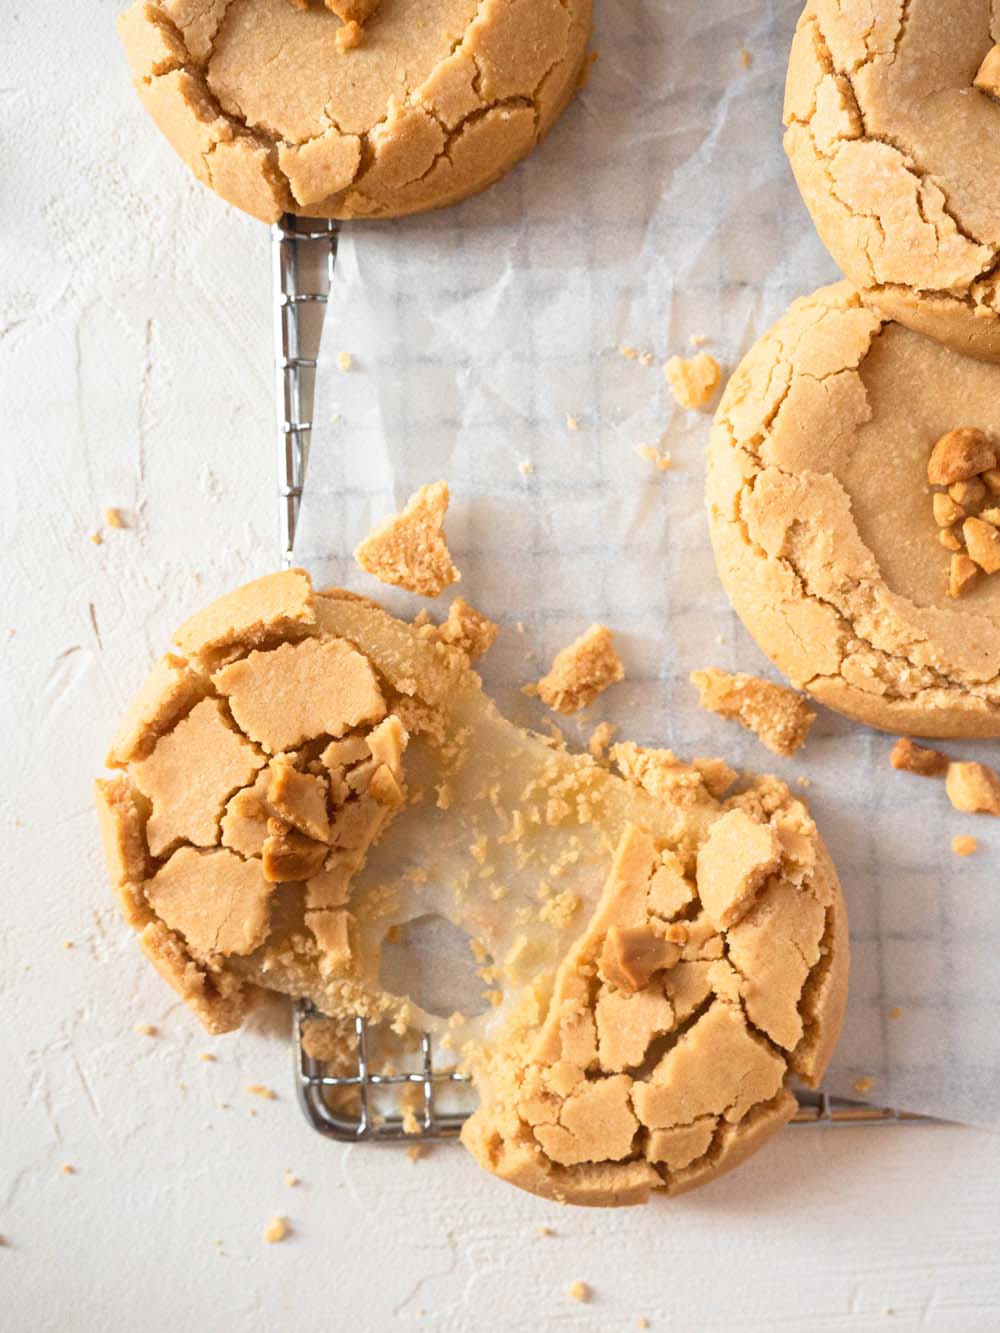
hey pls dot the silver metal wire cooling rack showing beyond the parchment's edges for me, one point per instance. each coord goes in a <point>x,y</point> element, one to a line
<point>427,1102</point>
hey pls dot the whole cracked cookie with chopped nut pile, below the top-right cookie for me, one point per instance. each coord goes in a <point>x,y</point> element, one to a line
<point>827,529</point>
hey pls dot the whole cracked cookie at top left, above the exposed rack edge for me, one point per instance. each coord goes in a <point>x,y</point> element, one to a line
<point>295,106</point>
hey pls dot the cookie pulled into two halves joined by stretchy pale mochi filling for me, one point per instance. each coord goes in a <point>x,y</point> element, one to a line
<point>630,963</point>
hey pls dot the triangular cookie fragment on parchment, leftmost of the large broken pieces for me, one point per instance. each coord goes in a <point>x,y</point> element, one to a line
<point>409,550</point>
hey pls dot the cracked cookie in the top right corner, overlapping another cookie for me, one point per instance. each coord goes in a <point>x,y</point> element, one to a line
<point>894,135</point>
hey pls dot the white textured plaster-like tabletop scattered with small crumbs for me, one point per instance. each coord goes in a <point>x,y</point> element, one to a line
<point>135,369</point>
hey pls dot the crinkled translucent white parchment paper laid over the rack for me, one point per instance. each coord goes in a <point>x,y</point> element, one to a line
<point>661,207</point>
